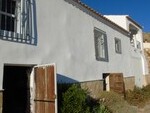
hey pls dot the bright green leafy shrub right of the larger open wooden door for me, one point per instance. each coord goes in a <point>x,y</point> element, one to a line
<point>74,100</point>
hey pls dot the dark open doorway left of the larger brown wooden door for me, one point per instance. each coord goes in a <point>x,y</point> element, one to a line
<point>16,95</point>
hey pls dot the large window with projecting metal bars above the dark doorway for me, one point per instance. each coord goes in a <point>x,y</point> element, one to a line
<point>17,21</point>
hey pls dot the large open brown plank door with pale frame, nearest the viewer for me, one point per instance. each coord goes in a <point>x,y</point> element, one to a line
<point>45,89</point>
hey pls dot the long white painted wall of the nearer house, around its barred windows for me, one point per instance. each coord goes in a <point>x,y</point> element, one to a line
<point>66,37</point>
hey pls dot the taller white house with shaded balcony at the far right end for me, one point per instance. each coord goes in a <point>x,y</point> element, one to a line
<point>137,48</point>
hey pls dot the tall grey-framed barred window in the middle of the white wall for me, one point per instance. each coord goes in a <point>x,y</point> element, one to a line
<point>101,48</point>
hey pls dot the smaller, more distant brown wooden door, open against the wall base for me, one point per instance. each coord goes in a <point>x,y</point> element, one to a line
<point>116,82</point>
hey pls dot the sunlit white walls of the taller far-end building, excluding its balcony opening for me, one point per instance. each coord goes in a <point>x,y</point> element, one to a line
<point>124,22</point>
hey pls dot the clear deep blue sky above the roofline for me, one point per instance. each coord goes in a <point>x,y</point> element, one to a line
<point>138,10</point>
